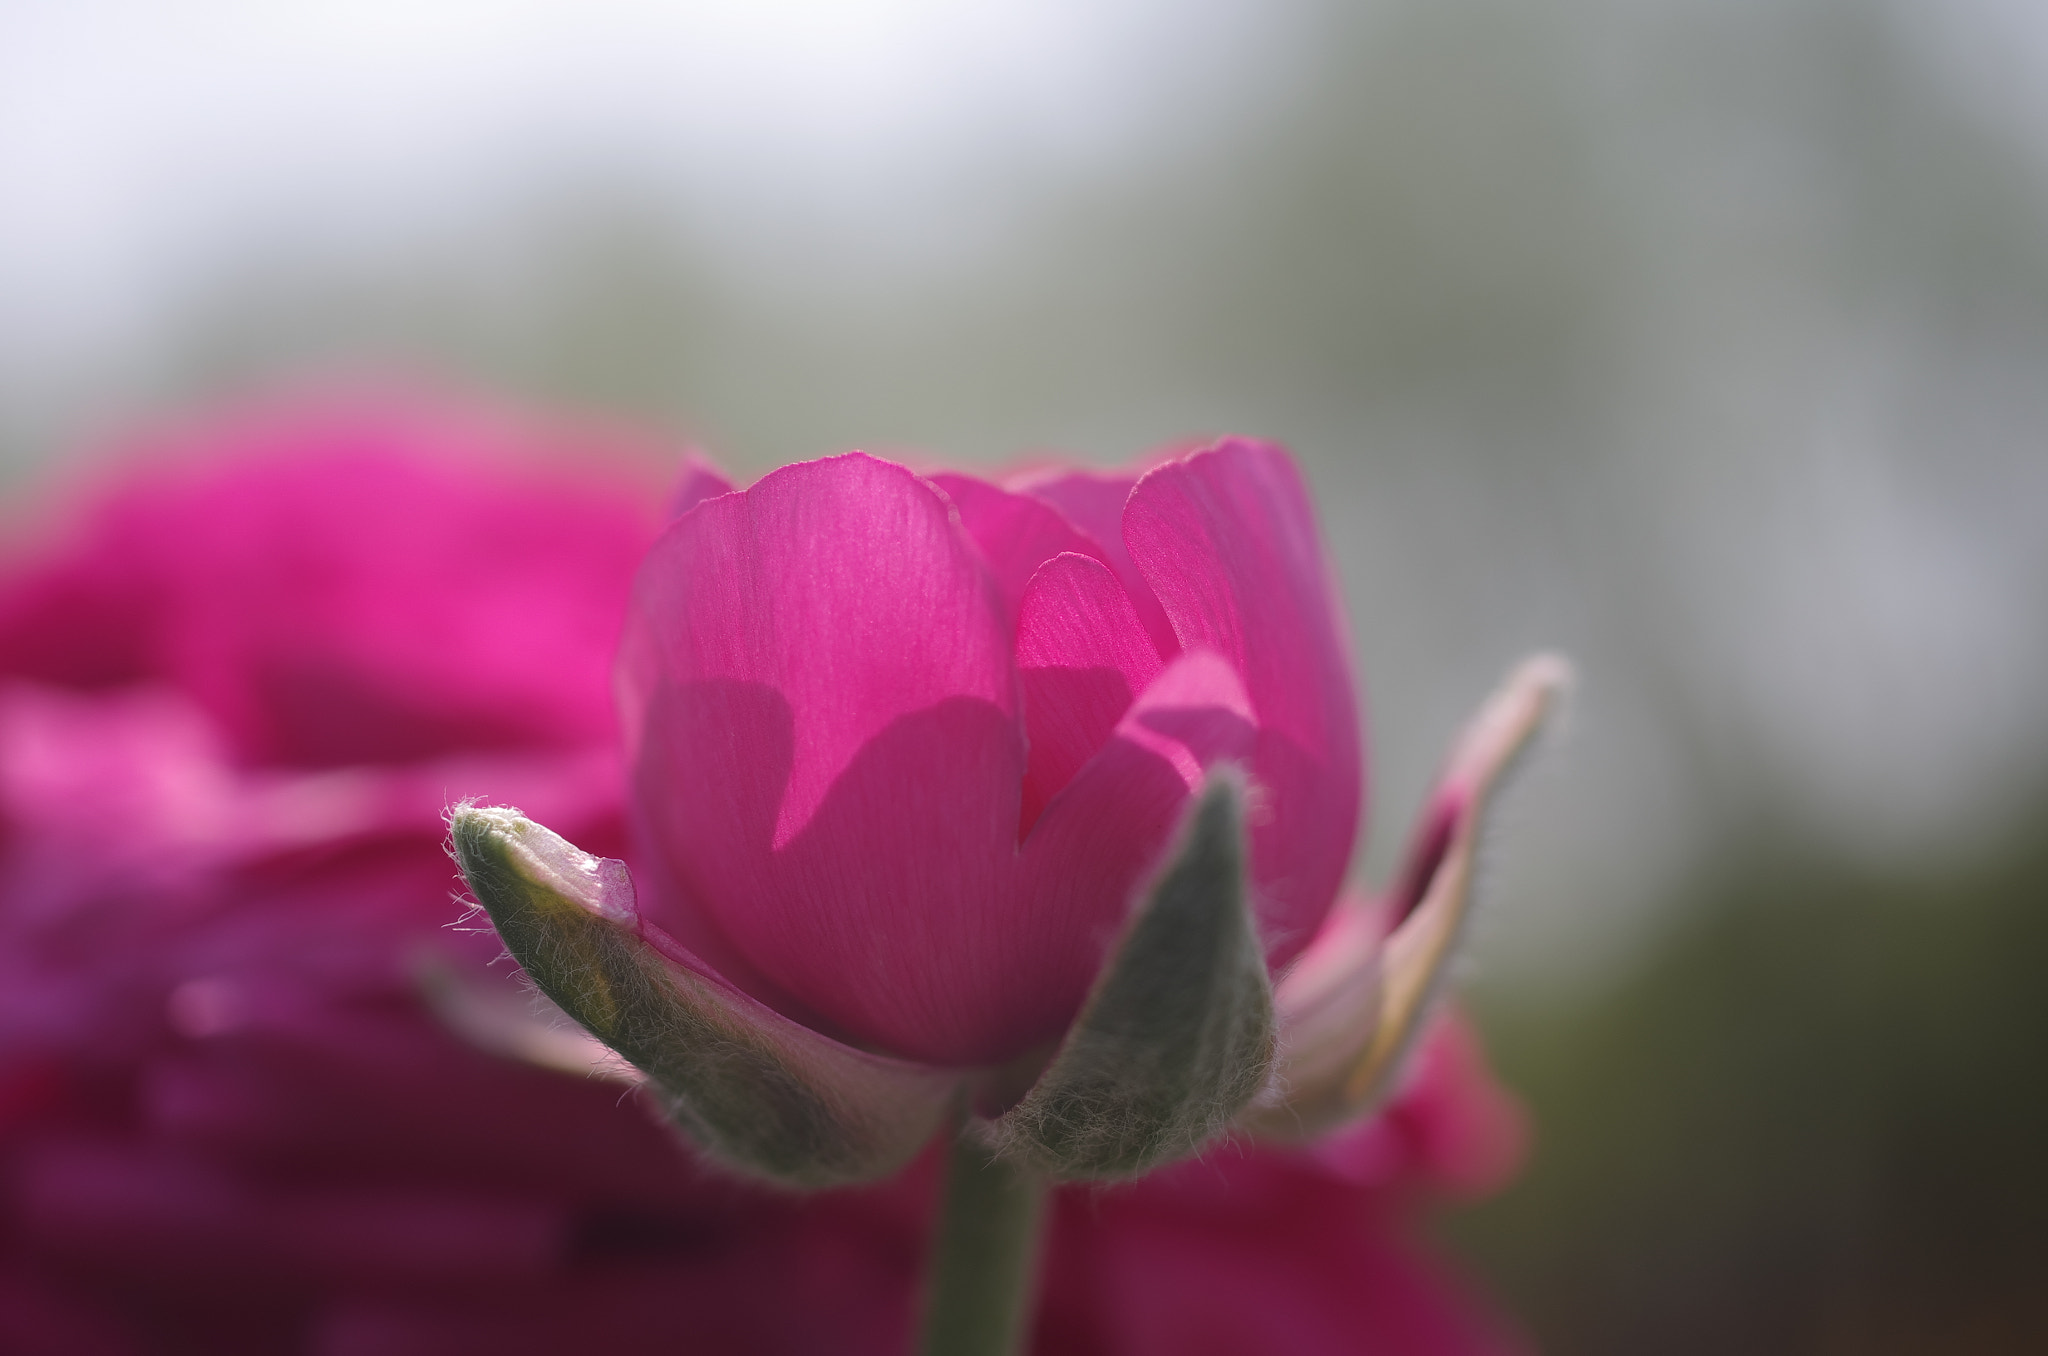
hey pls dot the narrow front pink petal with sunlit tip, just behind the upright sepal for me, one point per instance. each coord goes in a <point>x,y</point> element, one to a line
<point>1101,837</point>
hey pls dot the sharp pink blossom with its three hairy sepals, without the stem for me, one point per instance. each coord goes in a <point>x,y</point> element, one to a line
<point>1033,796</point>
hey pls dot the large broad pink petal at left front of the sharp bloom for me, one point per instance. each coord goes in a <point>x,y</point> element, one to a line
<point>822,706</point>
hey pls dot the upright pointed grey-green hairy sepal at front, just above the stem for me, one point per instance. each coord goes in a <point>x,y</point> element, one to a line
<point>1179,1033</point>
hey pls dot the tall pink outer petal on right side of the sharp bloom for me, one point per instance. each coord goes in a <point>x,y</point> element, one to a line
<point>1230,548</point>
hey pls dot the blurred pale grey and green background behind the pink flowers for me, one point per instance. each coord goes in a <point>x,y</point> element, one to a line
<point>1701,339</point>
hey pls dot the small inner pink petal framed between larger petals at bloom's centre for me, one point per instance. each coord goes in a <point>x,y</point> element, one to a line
<point>1082,654</point>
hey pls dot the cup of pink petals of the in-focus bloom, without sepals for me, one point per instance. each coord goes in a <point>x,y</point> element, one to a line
<point>908,749</point>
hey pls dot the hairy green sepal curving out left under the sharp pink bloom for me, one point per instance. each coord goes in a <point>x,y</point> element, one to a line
<point>753,1089</point>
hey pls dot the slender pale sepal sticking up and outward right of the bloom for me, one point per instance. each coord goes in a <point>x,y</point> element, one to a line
<point>1359,999</point>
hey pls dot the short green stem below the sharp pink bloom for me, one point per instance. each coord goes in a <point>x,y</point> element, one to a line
<point>986,1257</point>
